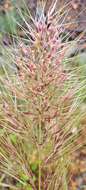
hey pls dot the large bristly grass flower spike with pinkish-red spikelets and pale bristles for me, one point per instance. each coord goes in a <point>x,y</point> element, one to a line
<point>40,115</point>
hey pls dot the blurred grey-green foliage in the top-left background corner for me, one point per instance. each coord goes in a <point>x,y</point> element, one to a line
<point>9,17</point>
